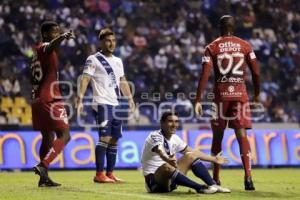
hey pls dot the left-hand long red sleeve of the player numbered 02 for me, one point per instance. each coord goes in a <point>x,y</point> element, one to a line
<point>207,64</point>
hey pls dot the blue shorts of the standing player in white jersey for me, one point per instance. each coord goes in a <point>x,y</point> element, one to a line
<point>108,124</point>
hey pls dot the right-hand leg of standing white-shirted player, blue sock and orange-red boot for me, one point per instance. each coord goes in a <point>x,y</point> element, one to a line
<point>111,153</point>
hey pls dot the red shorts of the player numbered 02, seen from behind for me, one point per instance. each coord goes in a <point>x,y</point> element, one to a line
<point>236,114</point>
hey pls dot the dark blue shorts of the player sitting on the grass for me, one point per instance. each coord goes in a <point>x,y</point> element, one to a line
<point>154,187</point>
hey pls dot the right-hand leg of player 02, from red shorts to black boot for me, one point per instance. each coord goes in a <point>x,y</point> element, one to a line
<point>240,124</point>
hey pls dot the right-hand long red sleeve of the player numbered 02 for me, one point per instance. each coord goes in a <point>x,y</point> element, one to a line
<point>254,68</point>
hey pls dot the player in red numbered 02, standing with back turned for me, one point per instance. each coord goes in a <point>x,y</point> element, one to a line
<point>229,56</point>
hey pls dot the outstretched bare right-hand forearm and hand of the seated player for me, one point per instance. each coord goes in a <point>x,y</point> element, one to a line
<point>219,159</point>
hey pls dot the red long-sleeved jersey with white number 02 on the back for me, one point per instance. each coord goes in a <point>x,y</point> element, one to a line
<point>229,56</point>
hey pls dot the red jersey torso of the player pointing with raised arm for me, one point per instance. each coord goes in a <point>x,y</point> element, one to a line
<point>44,69</point>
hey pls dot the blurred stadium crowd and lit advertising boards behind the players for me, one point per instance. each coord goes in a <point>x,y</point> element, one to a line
<point>161,46</point>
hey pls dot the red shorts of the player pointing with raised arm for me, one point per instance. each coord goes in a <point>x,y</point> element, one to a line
<point>49,116</point>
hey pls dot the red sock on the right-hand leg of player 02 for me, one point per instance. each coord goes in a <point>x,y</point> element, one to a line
<point>245,152</point>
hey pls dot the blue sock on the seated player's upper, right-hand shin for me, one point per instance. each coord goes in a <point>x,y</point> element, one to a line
<point>201,171</point>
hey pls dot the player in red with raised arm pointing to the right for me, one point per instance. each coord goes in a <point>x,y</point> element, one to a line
<point>48,113</point>
